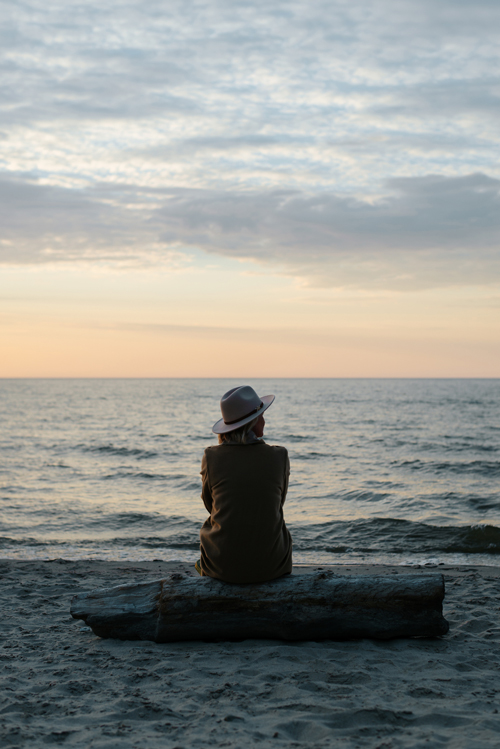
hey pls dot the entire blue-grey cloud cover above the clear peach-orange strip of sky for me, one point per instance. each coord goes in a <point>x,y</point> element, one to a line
<point>350,143</point>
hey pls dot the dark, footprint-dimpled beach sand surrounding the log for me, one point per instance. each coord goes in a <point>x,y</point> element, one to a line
<point>62,685</point>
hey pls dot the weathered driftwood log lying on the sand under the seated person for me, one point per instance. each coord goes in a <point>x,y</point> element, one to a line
<point>315,606</point>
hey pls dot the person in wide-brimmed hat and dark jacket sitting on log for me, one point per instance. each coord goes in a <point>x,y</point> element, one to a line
<point>245,481</point>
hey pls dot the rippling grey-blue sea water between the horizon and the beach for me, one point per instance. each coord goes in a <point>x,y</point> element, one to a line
<point>399,471</point>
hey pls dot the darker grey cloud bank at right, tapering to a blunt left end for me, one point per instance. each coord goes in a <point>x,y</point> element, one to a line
<point>425,232</point>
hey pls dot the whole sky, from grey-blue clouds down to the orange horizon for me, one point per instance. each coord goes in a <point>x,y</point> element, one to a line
<point>244,189</point>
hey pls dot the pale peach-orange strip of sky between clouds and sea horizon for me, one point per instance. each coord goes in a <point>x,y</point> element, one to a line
<point>74,324</point>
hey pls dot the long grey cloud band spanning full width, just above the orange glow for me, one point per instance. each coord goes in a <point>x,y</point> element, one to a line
<point>419,233</point>
